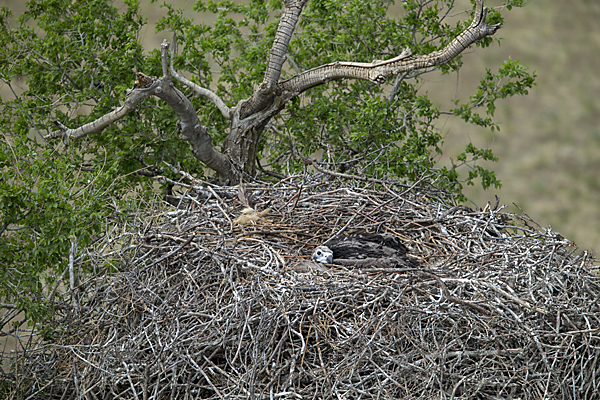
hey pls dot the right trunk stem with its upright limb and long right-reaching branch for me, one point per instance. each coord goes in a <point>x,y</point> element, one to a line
<point>252,115</point>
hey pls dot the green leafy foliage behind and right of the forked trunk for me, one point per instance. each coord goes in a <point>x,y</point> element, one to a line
<point>388,130</point>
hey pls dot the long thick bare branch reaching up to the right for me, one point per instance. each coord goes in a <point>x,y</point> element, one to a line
<point>380,71</point>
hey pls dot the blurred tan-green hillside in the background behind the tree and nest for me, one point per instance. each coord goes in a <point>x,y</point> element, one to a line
<point>549,142</point>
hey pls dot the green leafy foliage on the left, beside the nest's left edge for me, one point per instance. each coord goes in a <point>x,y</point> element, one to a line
<point>67,62</point>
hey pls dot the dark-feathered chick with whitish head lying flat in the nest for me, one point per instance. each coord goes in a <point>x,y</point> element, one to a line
<point>365,250</point>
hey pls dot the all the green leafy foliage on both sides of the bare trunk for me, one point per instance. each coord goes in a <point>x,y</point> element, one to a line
<point>72,61</point>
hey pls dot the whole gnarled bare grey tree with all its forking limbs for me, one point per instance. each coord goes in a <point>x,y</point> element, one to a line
<point>249,118</point>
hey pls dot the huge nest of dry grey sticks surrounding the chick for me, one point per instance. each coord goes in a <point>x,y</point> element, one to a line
<point>199,305</point>
